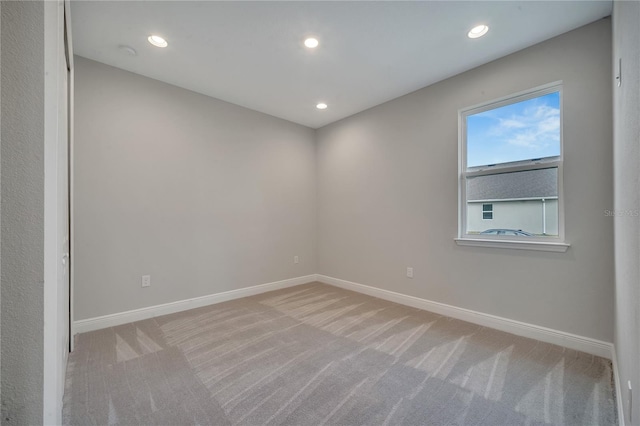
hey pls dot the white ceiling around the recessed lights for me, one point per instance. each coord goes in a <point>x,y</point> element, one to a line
<point>252,53</point>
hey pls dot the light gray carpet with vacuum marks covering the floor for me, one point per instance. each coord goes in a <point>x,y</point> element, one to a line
<point>315,354</point>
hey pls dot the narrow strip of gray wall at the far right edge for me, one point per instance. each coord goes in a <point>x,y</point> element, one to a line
<point>626,36</point>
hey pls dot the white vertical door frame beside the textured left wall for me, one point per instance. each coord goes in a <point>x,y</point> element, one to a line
<point>56,313</point>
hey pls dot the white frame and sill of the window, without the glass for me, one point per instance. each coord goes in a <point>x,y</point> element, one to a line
<point>557,244</point>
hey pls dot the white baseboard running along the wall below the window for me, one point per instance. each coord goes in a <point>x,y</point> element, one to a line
<point>568,340</point>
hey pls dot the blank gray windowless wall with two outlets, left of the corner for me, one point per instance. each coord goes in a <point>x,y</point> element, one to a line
<point>203,195</point>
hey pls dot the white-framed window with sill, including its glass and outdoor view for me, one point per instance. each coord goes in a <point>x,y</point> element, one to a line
<point>511,171</point>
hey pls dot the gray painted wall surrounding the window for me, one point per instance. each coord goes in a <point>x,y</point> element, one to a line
<point>388,188</point>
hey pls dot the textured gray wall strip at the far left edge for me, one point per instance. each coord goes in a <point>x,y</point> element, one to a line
<point>22,221</point>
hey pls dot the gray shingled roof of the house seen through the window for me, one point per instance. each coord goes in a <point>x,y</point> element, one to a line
<point>542,183</point>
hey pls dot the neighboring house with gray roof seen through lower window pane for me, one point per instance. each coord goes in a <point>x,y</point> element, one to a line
<point>526,200</point>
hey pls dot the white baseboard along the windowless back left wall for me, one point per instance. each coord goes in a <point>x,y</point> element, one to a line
<point>105,321</point>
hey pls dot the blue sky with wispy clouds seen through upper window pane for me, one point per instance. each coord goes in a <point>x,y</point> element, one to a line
<point>521,131</point>
